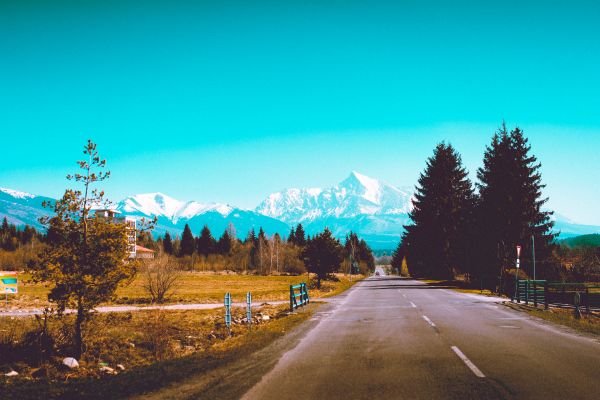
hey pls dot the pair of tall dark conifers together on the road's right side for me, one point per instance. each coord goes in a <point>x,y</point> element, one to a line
<point>473,230</point>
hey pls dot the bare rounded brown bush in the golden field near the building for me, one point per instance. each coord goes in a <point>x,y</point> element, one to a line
<point>161,276</point>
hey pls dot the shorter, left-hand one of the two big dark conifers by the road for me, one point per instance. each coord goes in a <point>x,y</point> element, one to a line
<point>435,242</point>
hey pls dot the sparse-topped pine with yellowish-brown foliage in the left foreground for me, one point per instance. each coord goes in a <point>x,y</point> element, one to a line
<point>88,259</point>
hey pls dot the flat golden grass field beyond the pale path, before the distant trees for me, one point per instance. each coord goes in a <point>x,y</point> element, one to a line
<point>198,287</point>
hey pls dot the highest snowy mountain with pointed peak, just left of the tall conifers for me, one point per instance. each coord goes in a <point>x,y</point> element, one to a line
<point>355,196</point>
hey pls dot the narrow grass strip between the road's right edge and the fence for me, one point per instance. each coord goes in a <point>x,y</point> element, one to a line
<point>564,317</point>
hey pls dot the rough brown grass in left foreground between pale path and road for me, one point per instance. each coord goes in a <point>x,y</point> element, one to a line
<point>132,353</point>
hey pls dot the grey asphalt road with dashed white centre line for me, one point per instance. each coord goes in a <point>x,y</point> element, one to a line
<point>392,338</point>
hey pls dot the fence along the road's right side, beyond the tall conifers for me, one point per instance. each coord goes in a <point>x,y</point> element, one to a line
<point>558,294</point>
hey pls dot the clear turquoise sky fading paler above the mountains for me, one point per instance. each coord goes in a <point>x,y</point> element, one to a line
<point>230,101</point>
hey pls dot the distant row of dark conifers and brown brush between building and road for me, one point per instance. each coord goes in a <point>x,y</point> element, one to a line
<point>321,254</point>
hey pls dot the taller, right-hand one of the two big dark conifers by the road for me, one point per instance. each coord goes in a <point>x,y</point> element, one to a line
<point>510,208</point>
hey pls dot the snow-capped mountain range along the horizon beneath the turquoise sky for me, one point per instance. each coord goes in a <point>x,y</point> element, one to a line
<point>374,209</point>
